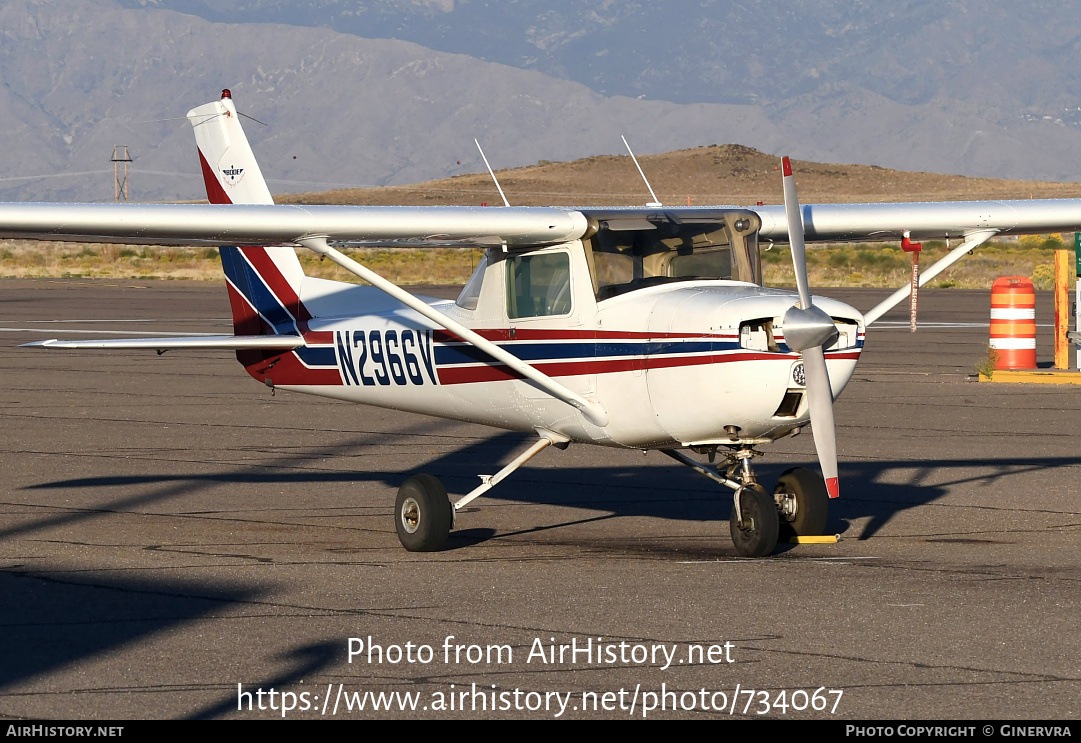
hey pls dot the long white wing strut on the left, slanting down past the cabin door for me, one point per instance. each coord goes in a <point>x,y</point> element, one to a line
<point>593,410</point>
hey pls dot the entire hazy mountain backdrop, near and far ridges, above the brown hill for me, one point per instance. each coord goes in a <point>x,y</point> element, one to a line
<point>79,77</point>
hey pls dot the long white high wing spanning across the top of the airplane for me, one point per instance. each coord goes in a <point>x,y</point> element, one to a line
<point>514,227</point>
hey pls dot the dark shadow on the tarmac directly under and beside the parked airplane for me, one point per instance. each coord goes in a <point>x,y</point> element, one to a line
<point>658,489</point>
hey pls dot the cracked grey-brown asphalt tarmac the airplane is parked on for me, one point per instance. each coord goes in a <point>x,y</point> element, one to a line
<point>170,530</point>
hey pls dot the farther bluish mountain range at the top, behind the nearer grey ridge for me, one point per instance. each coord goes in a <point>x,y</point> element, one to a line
<point>1010,59</point>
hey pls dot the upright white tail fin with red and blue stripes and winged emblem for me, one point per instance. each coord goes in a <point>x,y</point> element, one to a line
<point>264,283</point>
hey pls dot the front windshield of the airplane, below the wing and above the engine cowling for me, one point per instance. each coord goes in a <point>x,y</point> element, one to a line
<point>648,255</point>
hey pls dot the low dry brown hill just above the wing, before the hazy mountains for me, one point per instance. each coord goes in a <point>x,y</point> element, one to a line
<point>729,175</point>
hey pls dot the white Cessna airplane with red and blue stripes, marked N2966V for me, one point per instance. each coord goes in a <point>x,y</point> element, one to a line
<point>638,328</point>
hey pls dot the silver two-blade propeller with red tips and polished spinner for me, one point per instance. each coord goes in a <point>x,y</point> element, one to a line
<point>809,330</point>
